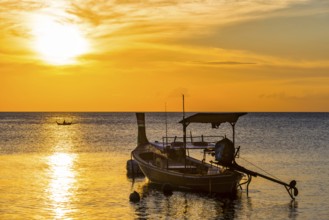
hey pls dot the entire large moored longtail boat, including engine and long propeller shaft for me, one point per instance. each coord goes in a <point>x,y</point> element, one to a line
<point>169,162</point>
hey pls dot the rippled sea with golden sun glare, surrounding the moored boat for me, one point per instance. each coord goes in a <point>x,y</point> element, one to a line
<point>78,171</point>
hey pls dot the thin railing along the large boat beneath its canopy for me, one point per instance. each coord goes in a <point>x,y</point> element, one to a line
<point>202,140</point>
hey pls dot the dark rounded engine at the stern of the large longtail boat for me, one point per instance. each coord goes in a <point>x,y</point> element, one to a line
<point>224,152</point>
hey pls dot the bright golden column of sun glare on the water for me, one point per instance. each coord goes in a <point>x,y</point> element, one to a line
<point>62,171</point>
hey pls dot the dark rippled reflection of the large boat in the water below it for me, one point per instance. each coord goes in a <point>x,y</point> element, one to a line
<point>186,204</point>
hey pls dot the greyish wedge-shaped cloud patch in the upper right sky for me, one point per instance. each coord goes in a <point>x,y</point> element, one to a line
<point>298,32</point>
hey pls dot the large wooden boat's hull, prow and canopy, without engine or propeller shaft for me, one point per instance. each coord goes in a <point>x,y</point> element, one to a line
<point>169,162</point>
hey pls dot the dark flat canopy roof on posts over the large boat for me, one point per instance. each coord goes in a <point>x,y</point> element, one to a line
<point>214,118</point>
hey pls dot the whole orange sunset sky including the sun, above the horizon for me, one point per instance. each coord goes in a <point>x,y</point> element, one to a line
<point>124,55</point>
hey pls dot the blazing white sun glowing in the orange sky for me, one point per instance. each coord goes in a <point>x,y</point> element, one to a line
<point>57,43</point>
